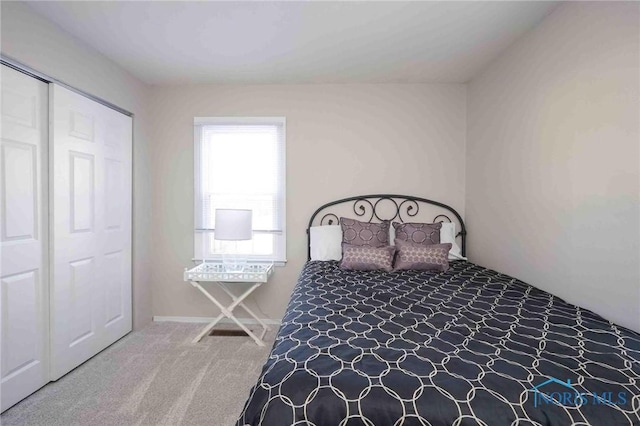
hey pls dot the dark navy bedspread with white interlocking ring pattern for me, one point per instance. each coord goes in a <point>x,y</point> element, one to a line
<point>469,346</point>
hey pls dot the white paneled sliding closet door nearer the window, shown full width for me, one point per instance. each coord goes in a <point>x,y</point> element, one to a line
<point>91,228</point>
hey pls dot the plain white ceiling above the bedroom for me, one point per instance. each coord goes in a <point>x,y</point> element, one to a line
<point>174,42</point>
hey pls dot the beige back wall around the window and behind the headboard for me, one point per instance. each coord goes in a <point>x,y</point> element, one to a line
<point>341,140</point>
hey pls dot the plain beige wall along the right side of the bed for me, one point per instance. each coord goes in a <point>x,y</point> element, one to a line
<point>553,156</point>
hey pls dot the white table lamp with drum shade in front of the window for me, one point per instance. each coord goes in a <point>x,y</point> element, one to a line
<point>233,225</point>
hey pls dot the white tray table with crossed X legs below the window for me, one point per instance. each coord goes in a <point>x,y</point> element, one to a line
<point>213,272</point>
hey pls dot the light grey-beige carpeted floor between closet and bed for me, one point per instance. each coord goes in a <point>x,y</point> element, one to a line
<point>155,376</point>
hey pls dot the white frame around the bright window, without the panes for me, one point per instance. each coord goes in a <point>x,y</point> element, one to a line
<point>280,249</point>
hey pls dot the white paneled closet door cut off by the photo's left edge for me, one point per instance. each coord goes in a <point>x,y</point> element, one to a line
<point>24,300</point>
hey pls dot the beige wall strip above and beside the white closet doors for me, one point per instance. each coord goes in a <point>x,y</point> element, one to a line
<point>39,44</point>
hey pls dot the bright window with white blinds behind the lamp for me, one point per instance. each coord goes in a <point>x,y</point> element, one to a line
<point>240,164</point>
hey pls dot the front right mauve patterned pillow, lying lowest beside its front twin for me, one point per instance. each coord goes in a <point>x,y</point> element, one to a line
<point>421,257</point>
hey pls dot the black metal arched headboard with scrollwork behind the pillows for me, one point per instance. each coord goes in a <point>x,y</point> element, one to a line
<point>365,208</point>
